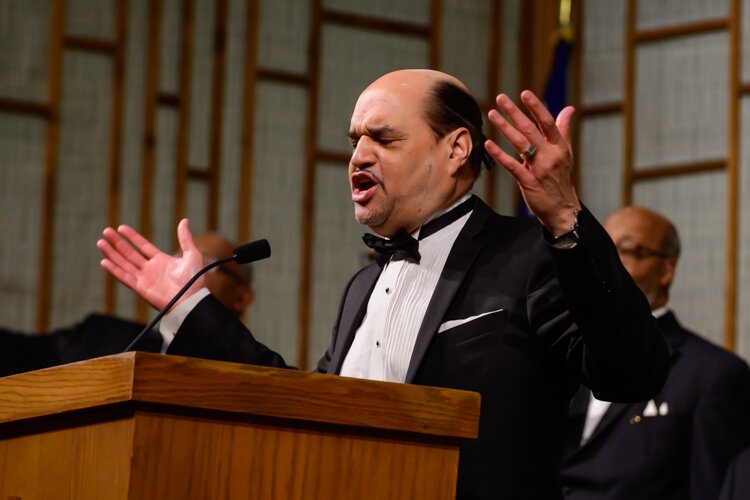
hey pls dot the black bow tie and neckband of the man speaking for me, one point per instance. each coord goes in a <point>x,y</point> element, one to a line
<point>404,245</point>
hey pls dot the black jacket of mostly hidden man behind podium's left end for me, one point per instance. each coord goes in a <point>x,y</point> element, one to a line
<point>97,335</point>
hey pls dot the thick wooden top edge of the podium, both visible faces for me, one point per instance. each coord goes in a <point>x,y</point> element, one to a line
<point>239,389</point>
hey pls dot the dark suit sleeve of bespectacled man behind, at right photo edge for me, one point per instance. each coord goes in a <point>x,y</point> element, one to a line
<point>721,426</point>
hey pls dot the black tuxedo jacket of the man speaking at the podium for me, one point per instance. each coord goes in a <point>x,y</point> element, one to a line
<point>526,357</point>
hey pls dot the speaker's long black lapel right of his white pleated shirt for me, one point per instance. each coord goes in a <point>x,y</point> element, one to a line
<point>460,259</point>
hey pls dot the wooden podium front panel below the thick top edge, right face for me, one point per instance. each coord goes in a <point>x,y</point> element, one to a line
<point>273,462</point>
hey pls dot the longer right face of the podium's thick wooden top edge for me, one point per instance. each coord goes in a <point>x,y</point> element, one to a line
<point>299,395</point>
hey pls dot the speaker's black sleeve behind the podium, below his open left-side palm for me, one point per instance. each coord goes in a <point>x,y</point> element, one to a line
<point>211,331</point>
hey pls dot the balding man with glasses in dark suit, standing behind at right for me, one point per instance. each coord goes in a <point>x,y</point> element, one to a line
<point>678,443</point>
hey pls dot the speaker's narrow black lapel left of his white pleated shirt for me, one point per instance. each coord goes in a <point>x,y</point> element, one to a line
<point>353,311</point>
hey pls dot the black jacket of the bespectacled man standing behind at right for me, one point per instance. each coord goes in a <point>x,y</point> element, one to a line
<point>678,455</point>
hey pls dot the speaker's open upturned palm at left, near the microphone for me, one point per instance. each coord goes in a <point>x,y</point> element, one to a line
<point>149,272</point>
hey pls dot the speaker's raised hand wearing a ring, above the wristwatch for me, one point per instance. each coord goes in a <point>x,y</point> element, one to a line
<point>544,172</point>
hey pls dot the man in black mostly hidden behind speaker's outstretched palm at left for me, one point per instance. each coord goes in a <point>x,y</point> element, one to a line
<point>101,334</point>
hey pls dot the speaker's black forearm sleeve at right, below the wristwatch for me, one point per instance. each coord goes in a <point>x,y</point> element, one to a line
<point>622,355</point>
